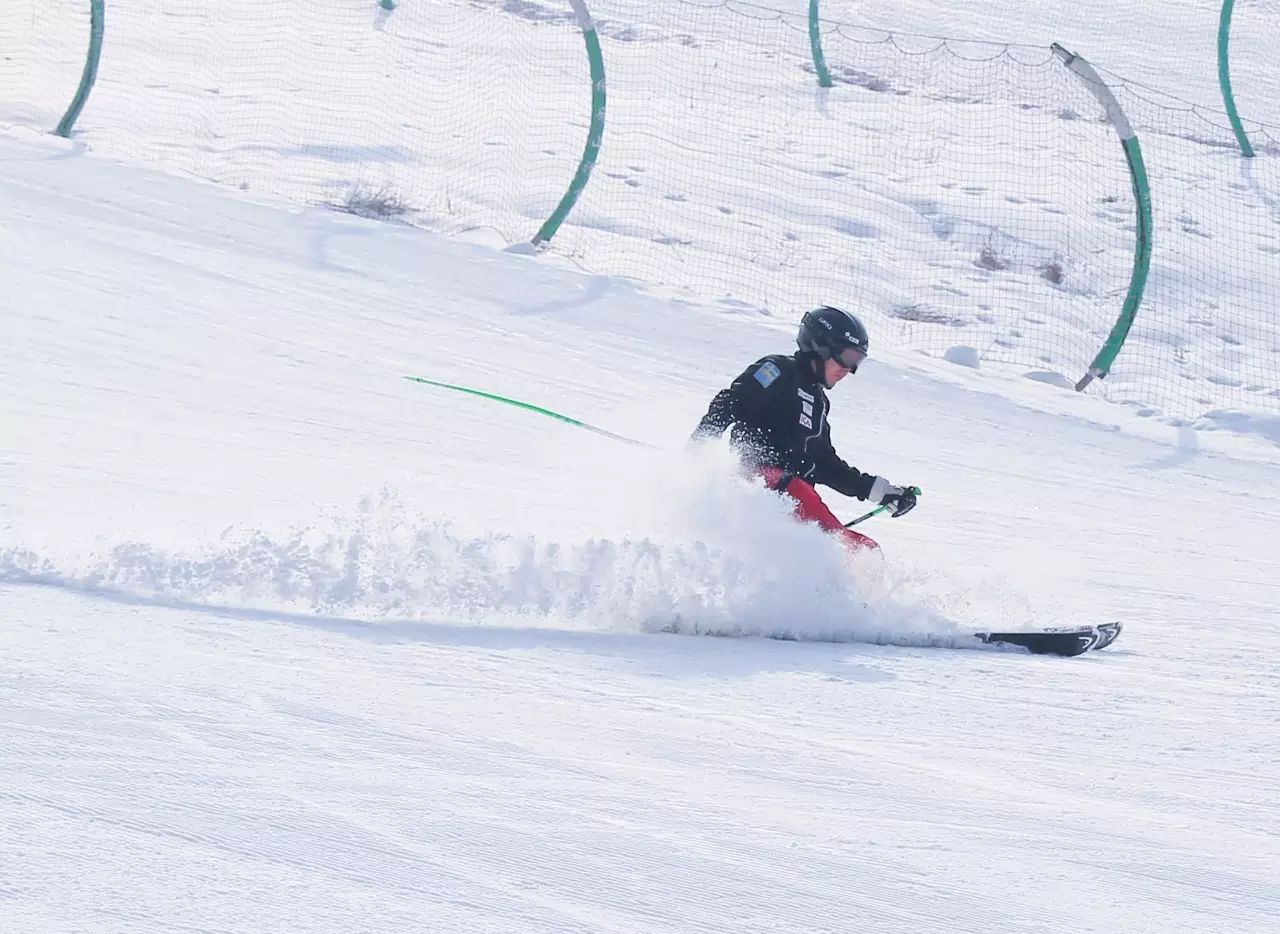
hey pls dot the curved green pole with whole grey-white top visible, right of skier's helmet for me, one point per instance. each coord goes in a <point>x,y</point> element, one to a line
<point>1101,365</point>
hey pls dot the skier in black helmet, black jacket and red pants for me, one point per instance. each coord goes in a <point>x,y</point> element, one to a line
<point>779,415</point>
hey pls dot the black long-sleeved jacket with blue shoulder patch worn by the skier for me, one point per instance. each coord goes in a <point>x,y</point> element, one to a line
<point>779,411</point>
